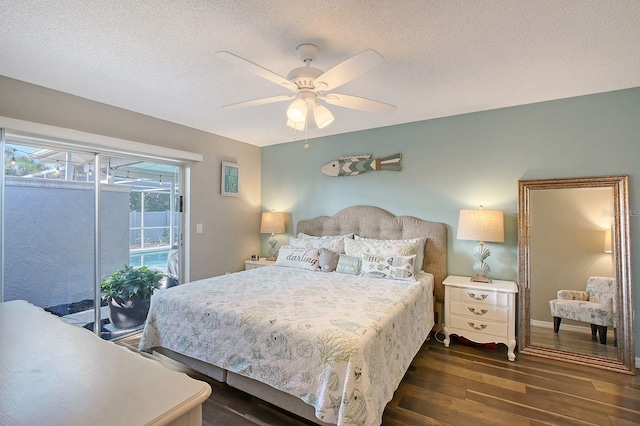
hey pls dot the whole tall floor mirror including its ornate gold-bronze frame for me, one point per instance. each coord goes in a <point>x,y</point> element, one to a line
<point>575,300</point>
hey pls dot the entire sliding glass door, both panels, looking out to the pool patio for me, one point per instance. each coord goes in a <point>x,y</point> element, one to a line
<point>71,217</point>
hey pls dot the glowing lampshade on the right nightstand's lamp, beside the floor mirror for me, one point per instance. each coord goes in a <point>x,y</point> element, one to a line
<point>481,225</point>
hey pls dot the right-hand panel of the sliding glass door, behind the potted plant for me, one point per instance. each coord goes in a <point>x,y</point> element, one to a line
<point>140,227</point>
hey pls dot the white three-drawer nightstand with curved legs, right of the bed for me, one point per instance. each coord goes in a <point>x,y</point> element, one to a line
<point>481,312</point>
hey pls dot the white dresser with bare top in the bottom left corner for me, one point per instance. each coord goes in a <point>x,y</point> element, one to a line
<point>53,373</point>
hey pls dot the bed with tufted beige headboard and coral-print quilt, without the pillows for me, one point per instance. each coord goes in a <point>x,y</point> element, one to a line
<point>327,346</point>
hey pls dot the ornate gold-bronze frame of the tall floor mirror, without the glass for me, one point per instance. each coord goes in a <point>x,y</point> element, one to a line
<point>625,363</point>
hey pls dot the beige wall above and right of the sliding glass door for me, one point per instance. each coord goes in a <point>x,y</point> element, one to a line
<point>230,225</point>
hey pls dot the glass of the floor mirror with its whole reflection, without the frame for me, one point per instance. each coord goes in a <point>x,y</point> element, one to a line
<point>572,273</point>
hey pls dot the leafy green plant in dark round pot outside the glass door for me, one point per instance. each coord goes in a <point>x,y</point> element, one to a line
<point>128,292</point>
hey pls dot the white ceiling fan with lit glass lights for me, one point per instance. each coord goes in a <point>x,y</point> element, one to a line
<point>309,85</point>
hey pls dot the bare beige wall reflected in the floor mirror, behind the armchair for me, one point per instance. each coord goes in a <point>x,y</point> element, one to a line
<point>567,242</point>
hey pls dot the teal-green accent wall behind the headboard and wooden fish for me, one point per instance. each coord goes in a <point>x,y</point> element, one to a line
<point>463,161</point>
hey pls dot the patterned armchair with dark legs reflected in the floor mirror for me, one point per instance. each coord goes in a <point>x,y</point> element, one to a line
<point>596,306</point>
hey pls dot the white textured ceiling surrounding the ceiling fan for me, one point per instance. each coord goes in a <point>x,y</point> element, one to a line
<point>442,58</point>
